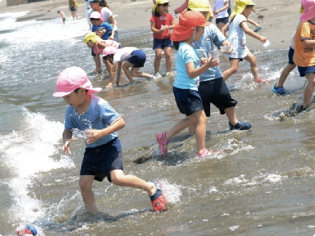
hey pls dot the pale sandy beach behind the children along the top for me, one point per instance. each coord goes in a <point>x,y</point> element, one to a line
<point>278,18</point>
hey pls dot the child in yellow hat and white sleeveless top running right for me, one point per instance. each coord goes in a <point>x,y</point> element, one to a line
<point>238,29</point>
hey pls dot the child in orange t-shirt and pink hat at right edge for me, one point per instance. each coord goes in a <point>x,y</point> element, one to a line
<point>304,55</point>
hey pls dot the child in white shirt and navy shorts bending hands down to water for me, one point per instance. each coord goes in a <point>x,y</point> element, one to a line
<point>131,59</point>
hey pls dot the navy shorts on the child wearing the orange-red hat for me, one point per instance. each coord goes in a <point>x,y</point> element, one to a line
<point>188,101</point>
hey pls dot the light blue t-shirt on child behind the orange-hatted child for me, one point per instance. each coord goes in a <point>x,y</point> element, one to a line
<point>211,37</point>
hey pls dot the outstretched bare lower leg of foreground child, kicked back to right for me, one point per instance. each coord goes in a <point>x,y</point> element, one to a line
<point>119,178</point>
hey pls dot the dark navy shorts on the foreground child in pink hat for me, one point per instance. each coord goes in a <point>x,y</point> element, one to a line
<point>100,161</point>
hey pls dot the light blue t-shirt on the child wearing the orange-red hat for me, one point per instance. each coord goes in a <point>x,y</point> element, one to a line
<point>186,54</point>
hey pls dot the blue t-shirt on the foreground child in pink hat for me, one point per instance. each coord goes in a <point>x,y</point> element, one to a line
<point>99,115</point>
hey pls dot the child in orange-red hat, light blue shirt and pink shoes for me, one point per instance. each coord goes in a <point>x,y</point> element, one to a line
<point>185,88</point>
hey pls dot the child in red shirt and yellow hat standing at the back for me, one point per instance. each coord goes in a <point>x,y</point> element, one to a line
<point>161,23</point>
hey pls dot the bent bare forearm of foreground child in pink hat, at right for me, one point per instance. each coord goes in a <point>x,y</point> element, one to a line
<point>94,134</point>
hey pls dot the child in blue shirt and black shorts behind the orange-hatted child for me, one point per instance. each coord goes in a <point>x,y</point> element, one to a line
<point>212,88</point>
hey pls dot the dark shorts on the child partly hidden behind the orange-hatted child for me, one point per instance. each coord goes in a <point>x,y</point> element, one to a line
<point>216,92</point>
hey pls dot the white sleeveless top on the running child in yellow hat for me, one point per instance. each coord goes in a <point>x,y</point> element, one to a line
<point>237,37</point>
